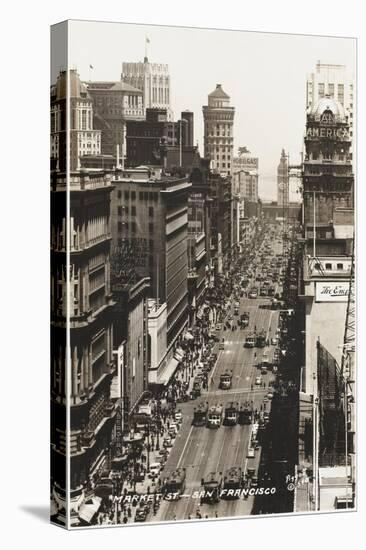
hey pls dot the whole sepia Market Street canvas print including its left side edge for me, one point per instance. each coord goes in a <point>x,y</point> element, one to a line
<point>203,323</point>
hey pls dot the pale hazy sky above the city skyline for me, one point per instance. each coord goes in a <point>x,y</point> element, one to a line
<point>264,74</point>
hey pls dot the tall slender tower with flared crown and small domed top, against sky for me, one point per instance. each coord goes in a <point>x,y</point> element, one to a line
<point>218,118</point>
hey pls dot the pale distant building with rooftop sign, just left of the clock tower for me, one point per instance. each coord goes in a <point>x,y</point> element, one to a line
<point>245,175</point>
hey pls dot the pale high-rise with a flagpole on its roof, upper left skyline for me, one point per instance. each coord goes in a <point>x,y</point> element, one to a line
<point>153,79</point>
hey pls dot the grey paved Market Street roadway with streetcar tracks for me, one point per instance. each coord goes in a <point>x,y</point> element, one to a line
<point>202,450</point>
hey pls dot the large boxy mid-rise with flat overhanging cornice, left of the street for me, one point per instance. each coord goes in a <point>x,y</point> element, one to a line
<point>150,224</point>
